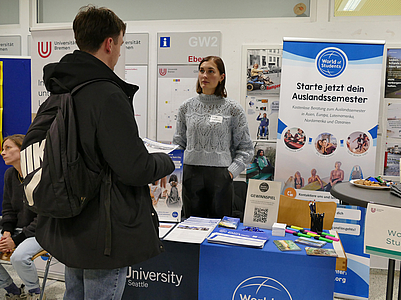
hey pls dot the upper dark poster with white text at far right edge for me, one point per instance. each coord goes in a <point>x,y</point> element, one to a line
<point>393,74</point>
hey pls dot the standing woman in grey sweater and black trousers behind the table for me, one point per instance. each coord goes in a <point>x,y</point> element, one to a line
<point>213,131</point>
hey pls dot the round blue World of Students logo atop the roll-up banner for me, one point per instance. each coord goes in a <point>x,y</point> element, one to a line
<point>331,62</point>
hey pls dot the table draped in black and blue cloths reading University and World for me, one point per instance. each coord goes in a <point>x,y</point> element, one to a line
<point>213,271</point>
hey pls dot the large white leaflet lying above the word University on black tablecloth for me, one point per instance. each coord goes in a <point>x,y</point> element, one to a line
<point>192,230</point>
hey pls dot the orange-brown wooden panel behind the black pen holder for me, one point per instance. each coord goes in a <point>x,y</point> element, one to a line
<point>297,212</point>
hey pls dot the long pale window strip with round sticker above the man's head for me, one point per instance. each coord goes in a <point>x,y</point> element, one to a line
<point>49,10</point>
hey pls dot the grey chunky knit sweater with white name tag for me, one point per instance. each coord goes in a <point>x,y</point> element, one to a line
<point>214,132</point>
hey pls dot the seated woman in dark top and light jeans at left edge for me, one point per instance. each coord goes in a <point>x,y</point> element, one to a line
<point>19,223</point>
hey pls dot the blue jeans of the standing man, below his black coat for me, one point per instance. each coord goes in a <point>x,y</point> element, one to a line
<point>99,284</point>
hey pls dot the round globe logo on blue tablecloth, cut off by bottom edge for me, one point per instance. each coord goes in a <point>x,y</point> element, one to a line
<point>261,288</point>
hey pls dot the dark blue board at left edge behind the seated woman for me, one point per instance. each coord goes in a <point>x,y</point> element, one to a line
<point>16,101</point>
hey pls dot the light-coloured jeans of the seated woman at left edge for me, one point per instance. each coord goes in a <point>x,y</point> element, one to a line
<point>23,265</point>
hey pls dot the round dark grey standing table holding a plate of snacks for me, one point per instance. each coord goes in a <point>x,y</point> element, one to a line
<point>351,194</point>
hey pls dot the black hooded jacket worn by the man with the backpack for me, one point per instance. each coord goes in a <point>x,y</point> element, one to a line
<point>108,134</point>
